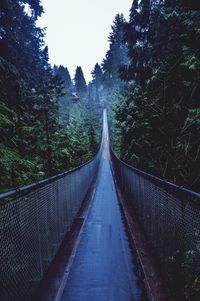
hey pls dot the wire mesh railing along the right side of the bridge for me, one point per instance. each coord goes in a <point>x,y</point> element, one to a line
<point>170,218</point>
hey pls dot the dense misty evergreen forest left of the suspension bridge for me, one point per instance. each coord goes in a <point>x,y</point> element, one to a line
<point>44,127</point>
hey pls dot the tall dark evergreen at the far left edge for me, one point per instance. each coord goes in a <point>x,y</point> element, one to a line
<point>23,75</point>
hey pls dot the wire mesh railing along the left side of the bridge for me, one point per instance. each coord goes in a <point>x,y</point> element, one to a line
<point>33,224</point>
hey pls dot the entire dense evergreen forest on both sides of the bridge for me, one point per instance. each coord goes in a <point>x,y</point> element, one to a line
<point>150,77</point>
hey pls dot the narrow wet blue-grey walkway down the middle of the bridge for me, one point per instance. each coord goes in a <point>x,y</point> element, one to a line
<point>103,267</point>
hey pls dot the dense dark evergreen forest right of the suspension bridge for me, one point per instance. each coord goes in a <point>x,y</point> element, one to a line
<point>152,70</point>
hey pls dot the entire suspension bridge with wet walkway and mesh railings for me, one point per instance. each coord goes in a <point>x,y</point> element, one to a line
<point>104,231</point>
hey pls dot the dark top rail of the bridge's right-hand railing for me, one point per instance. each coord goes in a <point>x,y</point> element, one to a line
<point>160,182</point>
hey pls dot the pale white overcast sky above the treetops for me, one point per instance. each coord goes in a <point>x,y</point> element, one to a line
<point>77,30</point>
